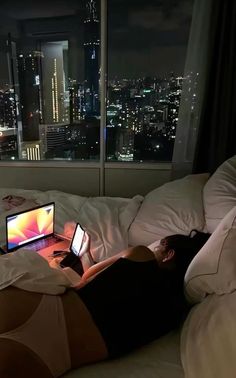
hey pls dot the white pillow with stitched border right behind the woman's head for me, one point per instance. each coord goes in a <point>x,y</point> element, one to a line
<point>213,269</point>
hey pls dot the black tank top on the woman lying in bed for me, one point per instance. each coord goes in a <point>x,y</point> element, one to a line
<point>133,303</point>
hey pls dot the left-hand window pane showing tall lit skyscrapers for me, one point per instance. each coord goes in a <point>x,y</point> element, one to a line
<point>49,80</point>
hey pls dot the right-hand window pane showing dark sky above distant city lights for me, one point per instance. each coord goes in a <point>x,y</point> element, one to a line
<point>147,42</point>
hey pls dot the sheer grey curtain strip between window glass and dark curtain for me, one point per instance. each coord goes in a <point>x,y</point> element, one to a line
<point>193,90</point>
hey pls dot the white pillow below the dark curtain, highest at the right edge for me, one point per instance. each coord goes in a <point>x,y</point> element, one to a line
<point>219,194</point>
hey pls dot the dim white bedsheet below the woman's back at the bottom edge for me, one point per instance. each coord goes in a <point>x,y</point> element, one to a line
<point>160,359</point>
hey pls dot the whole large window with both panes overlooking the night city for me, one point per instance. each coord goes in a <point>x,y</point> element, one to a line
<point>50,83</point>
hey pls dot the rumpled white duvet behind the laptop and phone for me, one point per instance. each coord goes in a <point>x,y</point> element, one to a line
<point>106,219</point>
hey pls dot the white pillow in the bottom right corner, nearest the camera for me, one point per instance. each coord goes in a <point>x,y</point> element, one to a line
<point>208,347</point>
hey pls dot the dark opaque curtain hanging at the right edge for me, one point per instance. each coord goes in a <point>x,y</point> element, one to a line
<point>216,140</point>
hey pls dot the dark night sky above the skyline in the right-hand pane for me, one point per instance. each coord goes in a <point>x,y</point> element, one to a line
<point>148,37</point>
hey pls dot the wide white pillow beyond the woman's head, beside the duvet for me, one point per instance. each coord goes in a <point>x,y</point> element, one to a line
<point>175,207</point>
